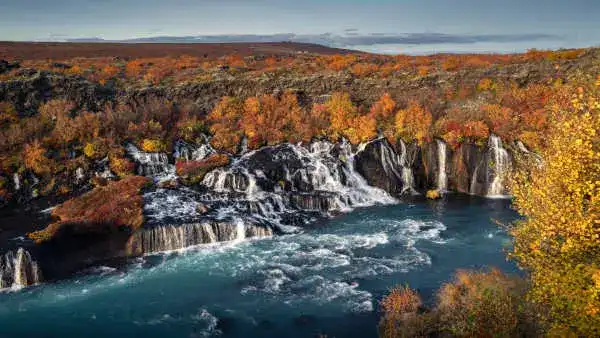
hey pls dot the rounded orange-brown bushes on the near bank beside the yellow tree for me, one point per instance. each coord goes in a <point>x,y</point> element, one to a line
<point>474,304</point>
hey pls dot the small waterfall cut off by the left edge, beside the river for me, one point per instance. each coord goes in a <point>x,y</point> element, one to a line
<point>18,270</point>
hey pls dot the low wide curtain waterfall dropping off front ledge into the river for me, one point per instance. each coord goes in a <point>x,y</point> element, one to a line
<point>175,237</point>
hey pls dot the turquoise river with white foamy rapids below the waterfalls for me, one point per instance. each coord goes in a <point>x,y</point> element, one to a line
<point>328,279</point>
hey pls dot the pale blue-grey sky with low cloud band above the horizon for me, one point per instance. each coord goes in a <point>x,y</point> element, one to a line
<point>408,26</point>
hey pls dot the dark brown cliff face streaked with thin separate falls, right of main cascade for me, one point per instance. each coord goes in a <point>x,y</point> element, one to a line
<point>470,169</point>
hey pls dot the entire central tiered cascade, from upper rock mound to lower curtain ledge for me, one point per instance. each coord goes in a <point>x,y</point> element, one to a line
<point>273,188</point>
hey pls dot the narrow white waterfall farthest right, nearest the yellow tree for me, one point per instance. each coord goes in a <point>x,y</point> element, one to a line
<point>497,170</point>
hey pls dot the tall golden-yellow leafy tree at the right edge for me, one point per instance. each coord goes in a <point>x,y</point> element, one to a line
<point>559,241</point>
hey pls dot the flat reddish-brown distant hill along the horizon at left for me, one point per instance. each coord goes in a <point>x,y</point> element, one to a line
<point>68,50</point>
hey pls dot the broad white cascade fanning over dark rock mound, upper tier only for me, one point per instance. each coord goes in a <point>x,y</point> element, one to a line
<point>313,170</point>
